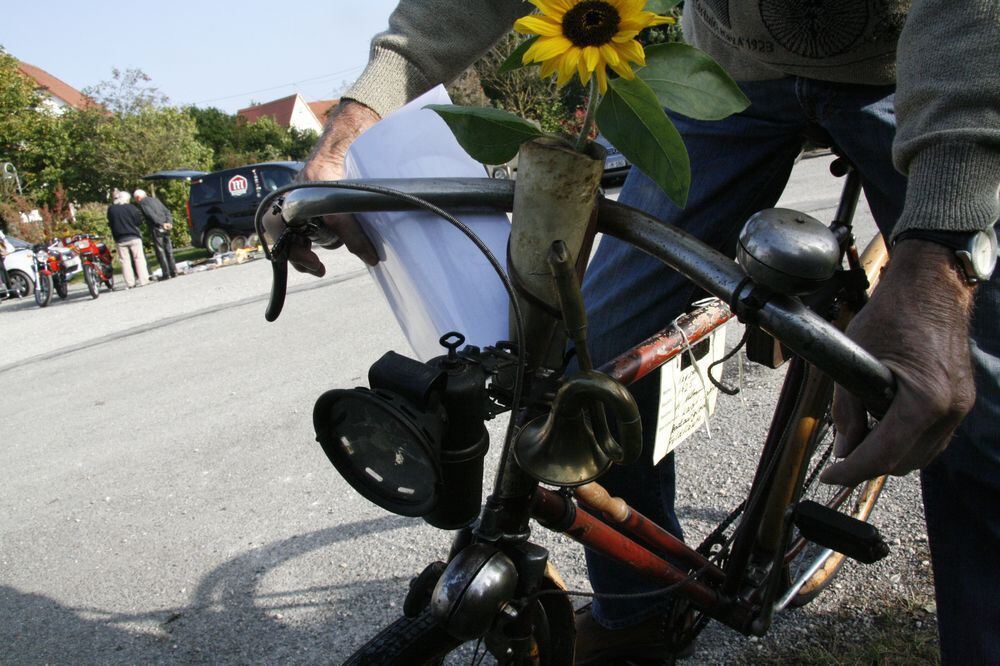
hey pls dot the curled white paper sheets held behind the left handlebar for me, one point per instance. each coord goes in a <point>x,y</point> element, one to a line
<point>433,277</point>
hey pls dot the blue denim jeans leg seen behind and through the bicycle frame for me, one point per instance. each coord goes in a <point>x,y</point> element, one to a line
<point>739,166</point>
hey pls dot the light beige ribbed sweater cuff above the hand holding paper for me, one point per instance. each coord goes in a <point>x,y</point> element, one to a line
<point>371,90</point>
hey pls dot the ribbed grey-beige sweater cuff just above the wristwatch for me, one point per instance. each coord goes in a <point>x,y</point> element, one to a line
<point>952,187</point>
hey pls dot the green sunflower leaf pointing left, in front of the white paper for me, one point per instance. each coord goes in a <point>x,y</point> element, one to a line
<point>490,136</point>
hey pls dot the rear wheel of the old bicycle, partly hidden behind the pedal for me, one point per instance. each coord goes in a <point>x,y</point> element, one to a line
<point>856,502</point>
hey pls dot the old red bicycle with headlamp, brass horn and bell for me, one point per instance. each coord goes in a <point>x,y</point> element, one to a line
<point>417,434</point>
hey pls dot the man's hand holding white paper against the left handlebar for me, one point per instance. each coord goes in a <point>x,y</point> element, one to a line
<point>346,122</point>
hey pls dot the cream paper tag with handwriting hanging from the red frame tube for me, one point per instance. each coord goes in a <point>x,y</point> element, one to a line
<point>683,393</point>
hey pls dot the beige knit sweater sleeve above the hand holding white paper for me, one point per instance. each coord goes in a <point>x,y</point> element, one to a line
<point>430,42</point>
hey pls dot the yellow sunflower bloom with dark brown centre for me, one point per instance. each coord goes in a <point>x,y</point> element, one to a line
<point>585,36</point>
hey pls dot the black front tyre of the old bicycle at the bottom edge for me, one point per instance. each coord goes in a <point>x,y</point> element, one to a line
<point>420,641</point>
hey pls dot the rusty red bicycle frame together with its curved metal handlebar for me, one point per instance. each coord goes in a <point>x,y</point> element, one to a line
<point>824,356</point>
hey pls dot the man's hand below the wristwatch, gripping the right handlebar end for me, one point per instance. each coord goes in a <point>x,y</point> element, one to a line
<point>917,323</point>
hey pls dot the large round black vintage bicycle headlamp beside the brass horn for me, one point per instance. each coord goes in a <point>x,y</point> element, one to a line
<point>414,443</point>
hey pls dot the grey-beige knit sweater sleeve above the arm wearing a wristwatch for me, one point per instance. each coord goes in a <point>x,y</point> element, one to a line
<point>948,113</point>
